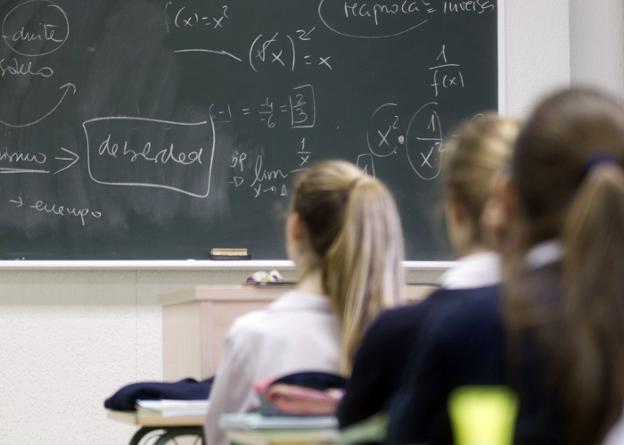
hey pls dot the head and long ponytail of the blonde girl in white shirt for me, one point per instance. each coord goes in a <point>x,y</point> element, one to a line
<point>345,226</point>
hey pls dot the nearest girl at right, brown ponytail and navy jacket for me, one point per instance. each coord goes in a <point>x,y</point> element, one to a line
<point>554,332</point>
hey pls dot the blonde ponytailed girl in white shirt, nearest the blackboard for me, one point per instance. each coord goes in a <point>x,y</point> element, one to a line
<point>344,235</point>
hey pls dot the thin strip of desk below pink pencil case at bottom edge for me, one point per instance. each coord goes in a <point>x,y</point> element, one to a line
<point>284,437</point>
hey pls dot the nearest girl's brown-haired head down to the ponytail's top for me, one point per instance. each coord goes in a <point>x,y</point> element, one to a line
<point>554,168</point>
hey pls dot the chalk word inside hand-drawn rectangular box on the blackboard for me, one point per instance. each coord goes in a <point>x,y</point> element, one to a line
<point>185,155</point>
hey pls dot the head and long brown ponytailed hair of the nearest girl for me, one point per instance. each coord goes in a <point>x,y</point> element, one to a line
<point>567,183</point>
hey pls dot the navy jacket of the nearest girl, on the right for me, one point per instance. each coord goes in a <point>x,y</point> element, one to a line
<point>466,345</point>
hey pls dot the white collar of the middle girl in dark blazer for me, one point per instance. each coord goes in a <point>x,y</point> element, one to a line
<point>475,270</point>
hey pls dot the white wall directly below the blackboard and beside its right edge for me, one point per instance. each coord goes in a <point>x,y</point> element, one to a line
<point>69,338</point>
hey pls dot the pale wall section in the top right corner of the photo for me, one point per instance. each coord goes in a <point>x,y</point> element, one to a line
<point>597,44</point>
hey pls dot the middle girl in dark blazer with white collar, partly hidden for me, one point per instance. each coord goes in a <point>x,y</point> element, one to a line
<point>472,159</point>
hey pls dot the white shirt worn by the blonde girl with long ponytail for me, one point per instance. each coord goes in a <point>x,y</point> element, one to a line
<point>297,332</point>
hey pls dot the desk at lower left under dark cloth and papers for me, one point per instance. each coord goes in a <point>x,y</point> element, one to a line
<point>164,429</point>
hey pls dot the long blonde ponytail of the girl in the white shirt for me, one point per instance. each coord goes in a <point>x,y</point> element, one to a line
<point>362,269</point>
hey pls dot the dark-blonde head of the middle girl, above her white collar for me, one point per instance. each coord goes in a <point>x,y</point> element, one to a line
<point>473,158</point>
